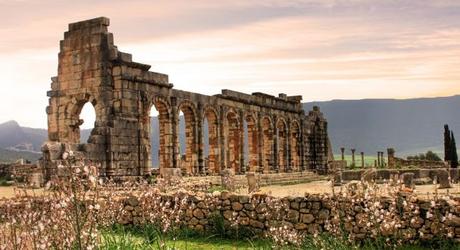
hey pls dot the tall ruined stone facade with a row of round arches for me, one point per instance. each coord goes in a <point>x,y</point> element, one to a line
<point>281,138</point>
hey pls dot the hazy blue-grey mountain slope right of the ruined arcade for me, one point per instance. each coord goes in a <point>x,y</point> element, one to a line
<point>410,126</point>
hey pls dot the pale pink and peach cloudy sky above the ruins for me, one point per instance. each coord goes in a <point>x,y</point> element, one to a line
<point>320,49</point>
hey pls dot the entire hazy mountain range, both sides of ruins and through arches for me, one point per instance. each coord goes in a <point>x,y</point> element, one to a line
<point>370,125</point>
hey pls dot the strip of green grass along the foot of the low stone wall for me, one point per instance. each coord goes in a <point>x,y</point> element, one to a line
<point>149,237</point>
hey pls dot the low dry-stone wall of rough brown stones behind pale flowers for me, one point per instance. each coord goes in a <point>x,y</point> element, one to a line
<point>416,219</point>
